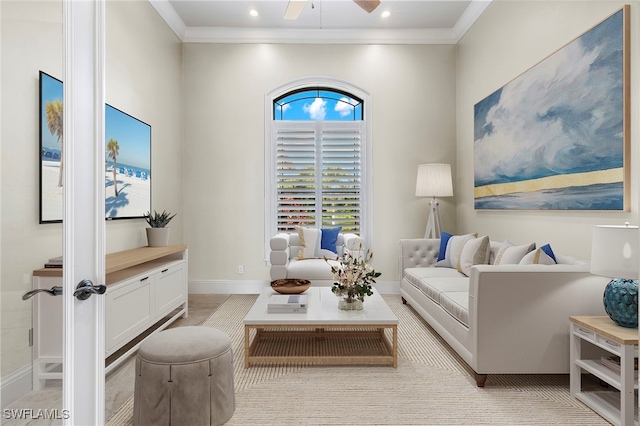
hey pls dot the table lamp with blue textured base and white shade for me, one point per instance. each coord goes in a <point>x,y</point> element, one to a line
<point>614,254</point>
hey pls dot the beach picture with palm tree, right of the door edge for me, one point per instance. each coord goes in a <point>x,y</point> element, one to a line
<point>127,165</point>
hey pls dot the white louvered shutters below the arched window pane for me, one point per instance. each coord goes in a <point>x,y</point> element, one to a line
<point>318,174</point>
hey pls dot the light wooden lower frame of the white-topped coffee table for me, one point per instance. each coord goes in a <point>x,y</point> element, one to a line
<point>321,332</point>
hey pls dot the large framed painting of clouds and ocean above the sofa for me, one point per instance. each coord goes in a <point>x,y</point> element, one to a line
<point>557,136</point>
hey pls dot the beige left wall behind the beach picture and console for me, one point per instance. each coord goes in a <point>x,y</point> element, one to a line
<point>143,79</point>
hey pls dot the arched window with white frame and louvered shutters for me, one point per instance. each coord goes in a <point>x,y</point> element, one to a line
<point>317,162</point>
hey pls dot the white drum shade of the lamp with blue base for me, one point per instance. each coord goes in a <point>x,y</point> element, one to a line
<point>614,252</point>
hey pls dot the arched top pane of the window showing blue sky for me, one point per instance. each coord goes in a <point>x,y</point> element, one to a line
<point>317,104</point>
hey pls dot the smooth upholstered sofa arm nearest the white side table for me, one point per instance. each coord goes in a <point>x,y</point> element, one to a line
<point>526,309</point>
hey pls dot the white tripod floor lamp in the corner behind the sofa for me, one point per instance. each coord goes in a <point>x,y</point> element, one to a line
<point>434,180</point>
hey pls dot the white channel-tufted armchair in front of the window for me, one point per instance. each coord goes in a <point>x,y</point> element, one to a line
<point>285,263</point>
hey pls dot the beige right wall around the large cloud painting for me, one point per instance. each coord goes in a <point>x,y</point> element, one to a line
<point>509,38</point>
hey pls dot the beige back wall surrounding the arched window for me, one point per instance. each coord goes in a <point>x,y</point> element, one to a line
<point>412,91</point>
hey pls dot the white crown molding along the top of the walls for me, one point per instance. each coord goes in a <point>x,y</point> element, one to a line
<point>318,36</point>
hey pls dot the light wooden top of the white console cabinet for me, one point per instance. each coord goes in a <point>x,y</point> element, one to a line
<point>122,259</point>
